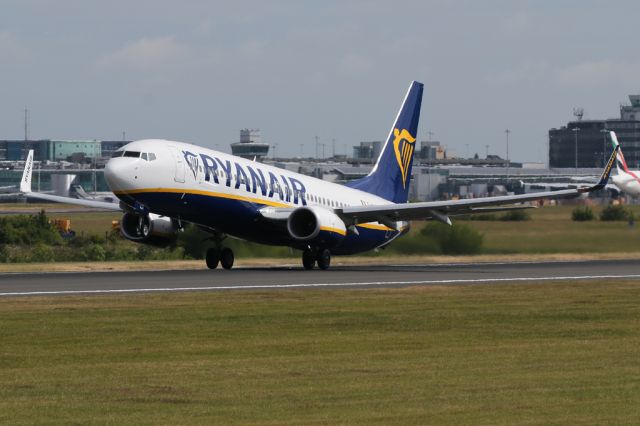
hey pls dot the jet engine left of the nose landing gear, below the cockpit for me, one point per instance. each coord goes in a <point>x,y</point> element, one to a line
<point>149,229</point>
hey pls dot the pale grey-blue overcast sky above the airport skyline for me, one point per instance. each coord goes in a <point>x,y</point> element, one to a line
<point>198,71</point>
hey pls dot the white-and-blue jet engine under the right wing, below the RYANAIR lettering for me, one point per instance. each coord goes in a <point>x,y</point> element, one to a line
<point>317,226</point>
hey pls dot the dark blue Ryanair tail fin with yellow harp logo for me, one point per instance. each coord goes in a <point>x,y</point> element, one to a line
<point>391,175</point>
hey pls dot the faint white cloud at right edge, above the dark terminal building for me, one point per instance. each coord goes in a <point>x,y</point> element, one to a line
<point>598,73</point>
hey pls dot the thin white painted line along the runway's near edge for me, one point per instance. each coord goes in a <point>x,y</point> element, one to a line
<point>311,285</point>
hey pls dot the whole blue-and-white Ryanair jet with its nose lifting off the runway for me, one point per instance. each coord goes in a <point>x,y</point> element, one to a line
<point>164,184</point>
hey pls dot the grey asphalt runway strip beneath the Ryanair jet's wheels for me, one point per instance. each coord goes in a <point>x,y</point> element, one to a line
<point>290,277</point>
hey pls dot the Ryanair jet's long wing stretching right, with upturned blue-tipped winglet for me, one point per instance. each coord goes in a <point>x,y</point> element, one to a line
<point>441,210</point>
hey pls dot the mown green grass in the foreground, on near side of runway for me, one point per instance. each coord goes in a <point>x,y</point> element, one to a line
<point>493,354</point>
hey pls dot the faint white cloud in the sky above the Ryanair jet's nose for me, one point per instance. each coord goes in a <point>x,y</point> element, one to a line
<point>147,53</point>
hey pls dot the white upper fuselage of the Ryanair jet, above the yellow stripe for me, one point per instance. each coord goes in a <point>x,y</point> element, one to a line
<point>171,170</point>
